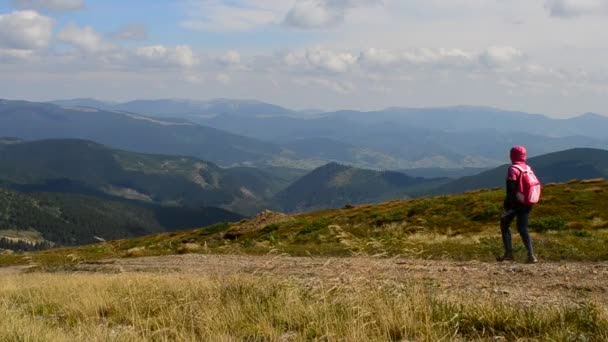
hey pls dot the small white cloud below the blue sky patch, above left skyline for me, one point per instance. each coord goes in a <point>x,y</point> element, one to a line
<point>159,55</point>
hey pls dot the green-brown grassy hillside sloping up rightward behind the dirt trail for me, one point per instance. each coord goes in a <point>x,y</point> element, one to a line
<point>570,223</point>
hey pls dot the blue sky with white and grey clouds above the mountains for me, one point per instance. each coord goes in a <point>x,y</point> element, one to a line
<point>542,56</point>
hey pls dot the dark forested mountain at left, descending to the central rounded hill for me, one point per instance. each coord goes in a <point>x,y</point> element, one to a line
<point>84,167</point>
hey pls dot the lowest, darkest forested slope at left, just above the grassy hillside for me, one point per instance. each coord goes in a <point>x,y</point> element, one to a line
<point>68,219</point>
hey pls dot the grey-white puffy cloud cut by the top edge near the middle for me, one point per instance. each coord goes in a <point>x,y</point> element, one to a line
<point>313,14</point>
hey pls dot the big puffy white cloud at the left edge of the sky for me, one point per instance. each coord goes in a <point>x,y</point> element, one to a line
<point>25,30</point>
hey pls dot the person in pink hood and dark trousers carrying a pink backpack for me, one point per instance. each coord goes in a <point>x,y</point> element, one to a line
<point>523,191</point>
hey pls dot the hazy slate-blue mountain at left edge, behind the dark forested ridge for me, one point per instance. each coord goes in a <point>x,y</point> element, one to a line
<point>33,121</point>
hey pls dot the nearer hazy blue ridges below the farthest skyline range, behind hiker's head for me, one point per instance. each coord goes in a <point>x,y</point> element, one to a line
<point>394,145</point>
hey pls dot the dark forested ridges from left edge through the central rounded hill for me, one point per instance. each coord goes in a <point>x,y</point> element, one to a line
<point>88,168</point>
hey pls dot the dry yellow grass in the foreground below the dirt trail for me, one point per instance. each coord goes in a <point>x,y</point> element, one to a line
<point>177,307</point>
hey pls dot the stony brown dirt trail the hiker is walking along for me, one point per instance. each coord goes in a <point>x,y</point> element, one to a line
<point>540,284</point>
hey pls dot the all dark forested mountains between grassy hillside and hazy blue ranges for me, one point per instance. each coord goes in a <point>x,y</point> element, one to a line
<point>69,191</point>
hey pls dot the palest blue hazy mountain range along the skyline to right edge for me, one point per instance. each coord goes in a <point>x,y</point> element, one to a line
<point>394,138</point>
